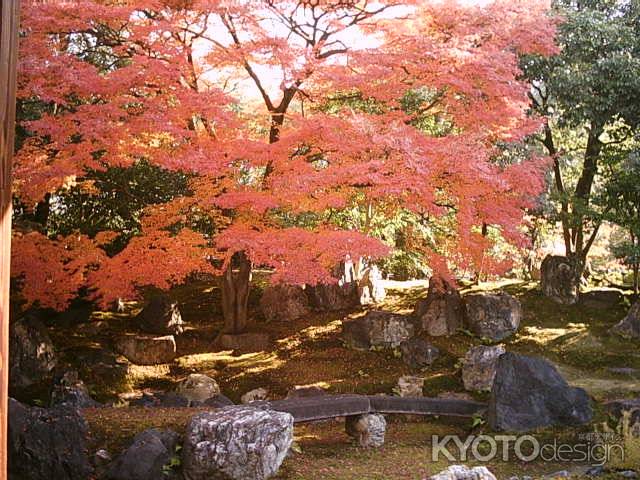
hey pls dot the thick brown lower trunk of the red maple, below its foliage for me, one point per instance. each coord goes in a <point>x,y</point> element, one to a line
<point>235,294</point>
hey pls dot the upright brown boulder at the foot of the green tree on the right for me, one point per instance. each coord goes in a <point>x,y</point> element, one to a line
<point>560,278</point>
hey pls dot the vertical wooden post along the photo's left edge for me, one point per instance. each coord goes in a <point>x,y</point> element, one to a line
<point>8,58</point>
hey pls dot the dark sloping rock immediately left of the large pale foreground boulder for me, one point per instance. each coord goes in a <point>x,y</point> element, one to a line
<point>143,460</point>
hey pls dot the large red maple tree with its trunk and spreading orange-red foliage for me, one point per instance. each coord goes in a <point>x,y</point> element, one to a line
<point>130,80</point>
